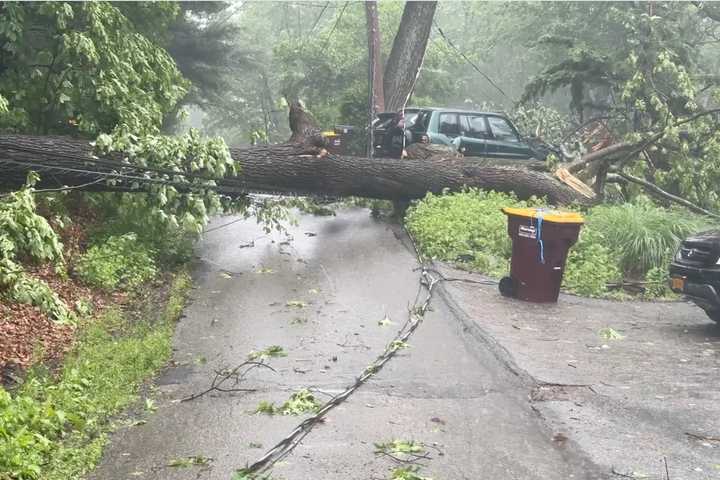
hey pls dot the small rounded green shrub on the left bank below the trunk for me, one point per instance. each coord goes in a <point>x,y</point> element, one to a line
<point>118,262</point>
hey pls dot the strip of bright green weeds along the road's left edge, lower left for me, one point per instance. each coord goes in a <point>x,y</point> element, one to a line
<point>56,425</point>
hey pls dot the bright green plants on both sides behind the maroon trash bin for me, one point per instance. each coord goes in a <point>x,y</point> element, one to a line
<point>618,241</point>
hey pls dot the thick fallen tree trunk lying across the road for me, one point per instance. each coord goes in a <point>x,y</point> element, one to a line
<point>289,168</point>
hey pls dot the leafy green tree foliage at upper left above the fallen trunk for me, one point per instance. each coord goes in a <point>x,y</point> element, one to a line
<point>55,53</point>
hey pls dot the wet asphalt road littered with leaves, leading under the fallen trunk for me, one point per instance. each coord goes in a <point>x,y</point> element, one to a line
<point>346,273</point>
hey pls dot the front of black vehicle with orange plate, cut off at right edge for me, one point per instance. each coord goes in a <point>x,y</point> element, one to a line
<point>695,271</point>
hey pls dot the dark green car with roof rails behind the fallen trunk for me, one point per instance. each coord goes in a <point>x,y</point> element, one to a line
<point>476,134</point>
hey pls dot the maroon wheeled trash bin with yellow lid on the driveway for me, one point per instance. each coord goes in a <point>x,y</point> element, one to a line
<point>541,240</point>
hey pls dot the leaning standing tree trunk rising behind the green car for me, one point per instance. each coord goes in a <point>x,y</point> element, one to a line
<point>407,53</point>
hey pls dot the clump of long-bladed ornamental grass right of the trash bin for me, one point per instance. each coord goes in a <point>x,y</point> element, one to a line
<point>642,235</point>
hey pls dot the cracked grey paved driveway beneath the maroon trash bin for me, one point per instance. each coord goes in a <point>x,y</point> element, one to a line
<point>627,402</point>
